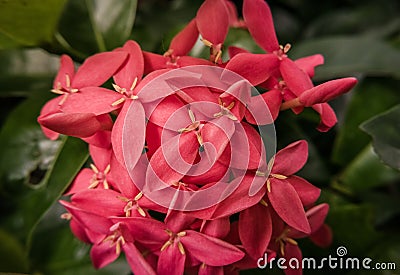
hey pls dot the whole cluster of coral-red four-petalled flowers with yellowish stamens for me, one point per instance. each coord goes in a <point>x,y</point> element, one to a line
<point>181,180</point>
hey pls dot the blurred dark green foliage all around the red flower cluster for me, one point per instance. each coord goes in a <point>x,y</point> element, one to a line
<point>356,164</point>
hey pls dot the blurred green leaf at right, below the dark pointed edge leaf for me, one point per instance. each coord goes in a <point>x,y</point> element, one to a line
<point>366,171</point>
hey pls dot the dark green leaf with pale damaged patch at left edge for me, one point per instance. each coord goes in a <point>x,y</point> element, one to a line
<point>24,147</point>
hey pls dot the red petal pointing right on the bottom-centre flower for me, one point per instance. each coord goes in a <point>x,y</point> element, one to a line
<point>200,245</point>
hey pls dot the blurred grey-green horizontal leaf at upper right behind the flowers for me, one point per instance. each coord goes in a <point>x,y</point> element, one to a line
<point>348,55</point>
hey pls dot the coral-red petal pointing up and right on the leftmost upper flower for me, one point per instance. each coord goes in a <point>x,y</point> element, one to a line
<point>97,69</point>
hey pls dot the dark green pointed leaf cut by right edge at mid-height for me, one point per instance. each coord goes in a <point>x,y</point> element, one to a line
<point>384,130</point>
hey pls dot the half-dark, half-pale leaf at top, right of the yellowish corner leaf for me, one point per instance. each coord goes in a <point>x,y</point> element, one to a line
<point>103,25</point>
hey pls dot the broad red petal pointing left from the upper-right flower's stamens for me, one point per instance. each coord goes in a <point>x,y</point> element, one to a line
<point>256,68</point>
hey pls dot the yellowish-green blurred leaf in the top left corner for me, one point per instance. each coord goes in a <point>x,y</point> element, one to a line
<point>28,23</point>
